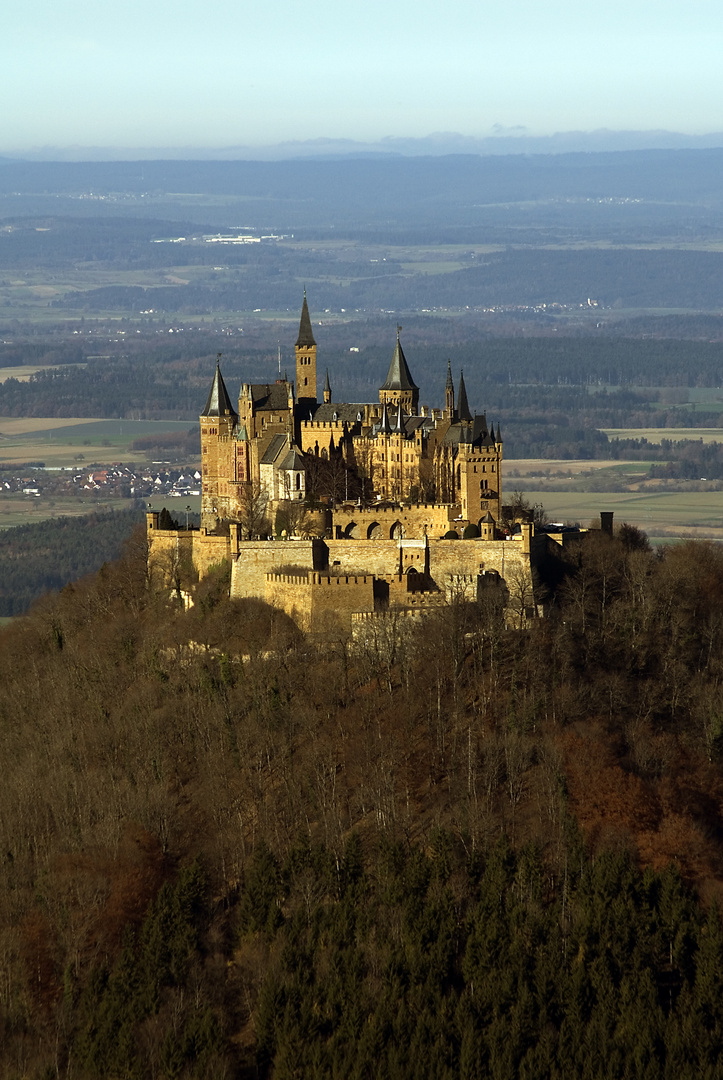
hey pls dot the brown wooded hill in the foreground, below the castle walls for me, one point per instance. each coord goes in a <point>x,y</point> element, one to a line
<point>463,850</point>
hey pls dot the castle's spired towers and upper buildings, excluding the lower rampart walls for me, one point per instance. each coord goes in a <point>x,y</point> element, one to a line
<point>395,450</point>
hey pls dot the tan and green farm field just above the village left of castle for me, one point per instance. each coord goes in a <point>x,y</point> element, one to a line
<point>66,442</point>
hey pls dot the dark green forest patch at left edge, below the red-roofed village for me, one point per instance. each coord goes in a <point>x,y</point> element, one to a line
<point>45,558</point>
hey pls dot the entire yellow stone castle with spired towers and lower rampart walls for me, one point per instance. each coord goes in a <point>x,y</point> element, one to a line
<point>342,514</point>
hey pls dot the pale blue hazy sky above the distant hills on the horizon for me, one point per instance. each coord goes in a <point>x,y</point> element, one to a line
<point>209,73</point>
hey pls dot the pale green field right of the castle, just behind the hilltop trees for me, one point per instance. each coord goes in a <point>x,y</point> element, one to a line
<point>663,516</point>
